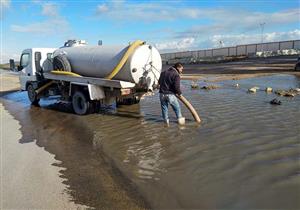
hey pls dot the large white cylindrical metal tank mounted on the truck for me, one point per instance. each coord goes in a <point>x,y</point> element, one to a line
<point>143,66</point>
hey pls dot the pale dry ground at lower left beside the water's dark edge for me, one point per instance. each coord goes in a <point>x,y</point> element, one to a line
<point>29,178</point>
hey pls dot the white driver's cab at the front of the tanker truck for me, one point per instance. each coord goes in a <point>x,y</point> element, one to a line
<point>29,64</point>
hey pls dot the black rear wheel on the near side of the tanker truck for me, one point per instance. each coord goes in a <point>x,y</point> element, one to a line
<point>81,104</point>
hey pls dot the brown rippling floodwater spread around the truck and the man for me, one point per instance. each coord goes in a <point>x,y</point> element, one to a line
<point>244,155</point>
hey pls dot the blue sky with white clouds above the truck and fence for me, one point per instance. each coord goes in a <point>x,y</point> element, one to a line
<point>169,25</point>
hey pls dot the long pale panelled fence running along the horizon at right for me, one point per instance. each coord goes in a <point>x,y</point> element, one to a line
<point>239,50</point>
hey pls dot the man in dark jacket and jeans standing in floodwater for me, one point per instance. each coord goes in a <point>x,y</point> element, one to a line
<point>169,83</point>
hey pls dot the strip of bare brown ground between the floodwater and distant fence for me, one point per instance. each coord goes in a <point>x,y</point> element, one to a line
<point>241,69</point>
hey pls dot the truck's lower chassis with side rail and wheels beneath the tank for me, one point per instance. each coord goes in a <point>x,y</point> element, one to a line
<point>85,93</point>
